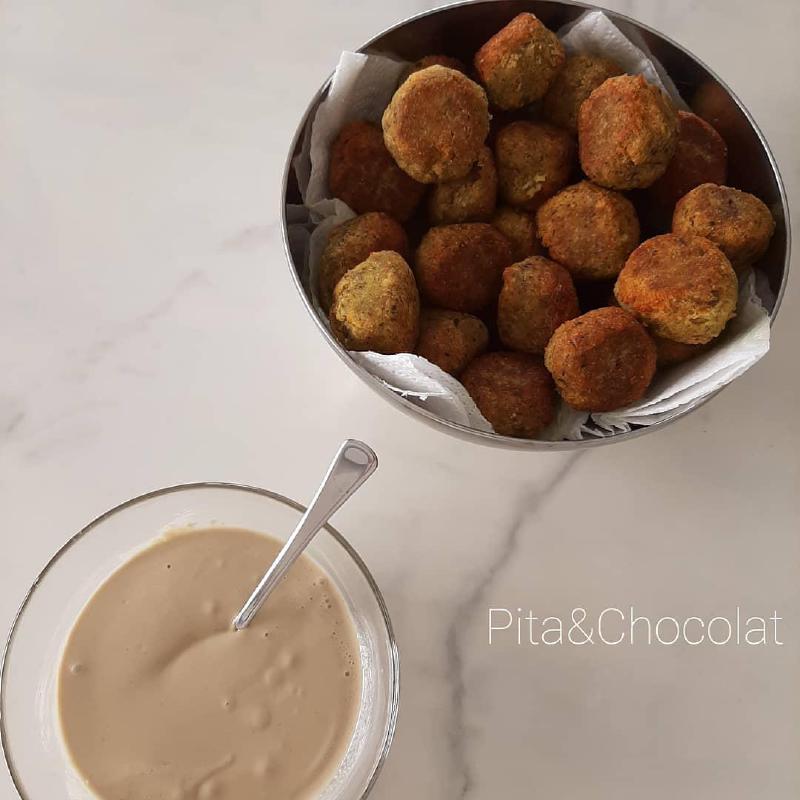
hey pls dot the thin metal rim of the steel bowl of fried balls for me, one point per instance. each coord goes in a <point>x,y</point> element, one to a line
<point>463,431</point>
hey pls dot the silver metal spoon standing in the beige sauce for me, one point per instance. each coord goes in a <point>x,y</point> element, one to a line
<point>353,464</point>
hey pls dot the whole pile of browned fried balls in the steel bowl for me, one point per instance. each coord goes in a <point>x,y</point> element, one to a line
<point>498,231</point>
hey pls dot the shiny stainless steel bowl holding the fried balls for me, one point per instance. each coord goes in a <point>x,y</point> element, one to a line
<point>459,30</point>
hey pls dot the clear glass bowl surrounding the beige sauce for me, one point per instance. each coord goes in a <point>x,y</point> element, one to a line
<point>29,730</point>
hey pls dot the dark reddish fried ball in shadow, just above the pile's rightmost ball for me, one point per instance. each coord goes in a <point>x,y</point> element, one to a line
<point>701,156</point>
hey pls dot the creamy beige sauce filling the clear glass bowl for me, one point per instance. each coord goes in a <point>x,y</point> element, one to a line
<point>160,699</point>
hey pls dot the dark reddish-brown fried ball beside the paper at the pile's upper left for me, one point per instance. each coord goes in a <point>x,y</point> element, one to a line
<point>364,175</point>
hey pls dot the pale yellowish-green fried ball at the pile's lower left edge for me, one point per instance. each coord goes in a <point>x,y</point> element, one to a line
<point>376,306</point>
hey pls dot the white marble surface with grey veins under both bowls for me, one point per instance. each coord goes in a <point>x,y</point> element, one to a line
<point>150,334</point>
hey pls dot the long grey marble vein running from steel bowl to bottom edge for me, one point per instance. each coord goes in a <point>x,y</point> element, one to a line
<point>530,503</point>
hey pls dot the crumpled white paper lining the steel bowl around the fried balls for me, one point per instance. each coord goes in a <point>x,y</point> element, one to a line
<point>361,89</point>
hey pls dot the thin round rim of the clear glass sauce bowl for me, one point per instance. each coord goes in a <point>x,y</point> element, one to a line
<point>394,699</point>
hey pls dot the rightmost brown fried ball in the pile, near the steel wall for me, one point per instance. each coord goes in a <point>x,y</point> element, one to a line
<point>739,223</point>
